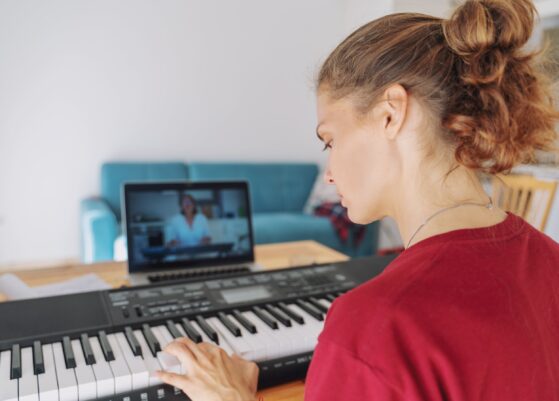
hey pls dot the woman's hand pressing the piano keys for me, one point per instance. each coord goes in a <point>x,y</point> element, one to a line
<point>211,374</point>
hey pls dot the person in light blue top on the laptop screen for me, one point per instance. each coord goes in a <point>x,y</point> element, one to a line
<point>189,227</point>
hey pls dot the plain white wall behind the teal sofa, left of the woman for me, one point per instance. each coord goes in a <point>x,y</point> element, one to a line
<point>82,82</point>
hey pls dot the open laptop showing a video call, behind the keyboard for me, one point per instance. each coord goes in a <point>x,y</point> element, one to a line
<point>183,230</point>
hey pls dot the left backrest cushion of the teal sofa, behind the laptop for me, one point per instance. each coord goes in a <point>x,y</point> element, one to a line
<point>114,174</point>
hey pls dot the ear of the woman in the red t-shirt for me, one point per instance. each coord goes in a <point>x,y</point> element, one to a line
<point>393,110</point>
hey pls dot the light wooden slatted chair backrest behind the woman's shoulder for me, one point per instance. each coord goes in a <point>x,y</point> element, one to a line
<point>525,196</point>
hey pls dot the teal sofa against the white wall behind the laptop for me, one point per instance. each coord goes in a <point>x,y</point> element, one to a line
<point>278,194</point>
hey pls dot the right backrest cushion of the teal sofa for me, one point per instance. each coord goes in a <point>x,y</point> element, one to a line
<point>274,187</point>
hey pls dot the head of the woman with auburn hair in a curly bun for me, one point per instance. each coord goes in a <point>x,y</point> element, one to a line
<point>409,90</point>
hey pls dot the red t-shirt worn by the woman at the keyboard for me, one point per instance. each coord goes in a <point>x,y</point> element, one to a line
<point>468,315</point>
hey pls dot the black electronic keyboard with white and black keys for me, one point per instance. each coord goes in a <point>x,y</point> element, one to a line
<point>104,345</point>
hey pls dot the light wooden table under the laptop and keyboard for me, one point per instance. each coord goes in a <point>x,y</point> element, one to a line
<point>270,256</point>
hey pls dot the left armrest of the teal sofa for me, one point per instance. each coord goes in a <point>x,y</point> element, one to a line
<point>99,229</point>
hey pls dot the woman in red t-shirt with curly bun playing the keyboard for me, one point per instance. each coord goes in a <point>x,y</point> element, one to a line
<point>413,109</point>
